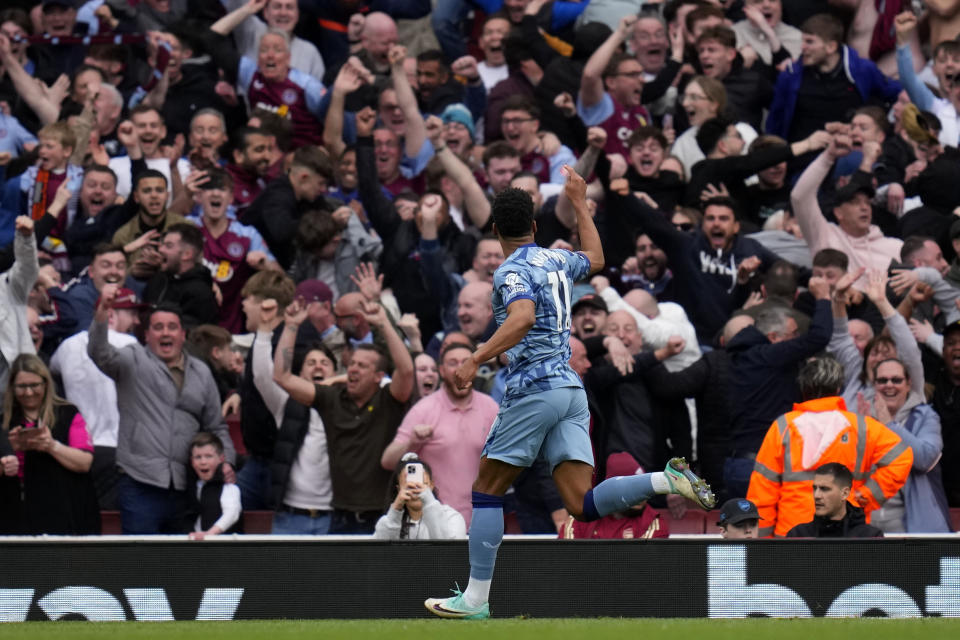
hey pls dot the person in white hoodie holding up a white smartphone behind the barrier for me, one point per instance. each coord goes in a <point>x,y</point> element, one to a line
<point>416,512</point>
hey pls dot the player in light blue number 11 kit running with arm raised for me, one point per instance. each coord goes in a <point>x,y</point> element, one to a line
<point>545,408</point>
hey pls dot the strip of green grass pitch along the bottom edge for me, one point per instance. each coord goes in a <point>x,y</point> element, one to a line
<point>513,629</point>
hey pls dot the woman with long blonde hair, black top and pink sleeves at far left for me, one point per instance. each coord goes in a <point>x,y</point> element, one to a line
<point>53,447</point>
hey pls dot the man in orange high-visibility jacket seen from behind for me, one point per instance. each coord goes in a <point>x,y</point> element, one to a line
<point>817,431</point>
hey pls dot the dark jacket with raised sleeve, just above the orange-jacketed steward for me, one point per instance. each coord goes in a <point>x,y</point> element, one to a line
<point>763,376</point>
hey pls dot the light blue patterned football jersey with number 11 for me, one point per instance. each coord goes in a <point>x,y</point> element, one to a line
<point>540,361</point>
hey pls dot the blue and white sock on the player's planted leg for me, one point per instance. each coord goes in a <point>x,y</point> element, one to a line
<point>486,533</point>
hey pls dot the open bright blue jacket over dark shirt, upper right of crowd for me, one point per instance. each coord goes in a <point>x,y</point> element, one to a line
<point>869,80</point>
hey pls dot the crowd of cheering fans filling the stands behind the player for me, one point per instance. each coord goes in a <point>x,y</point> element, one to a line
<point>277,213</point>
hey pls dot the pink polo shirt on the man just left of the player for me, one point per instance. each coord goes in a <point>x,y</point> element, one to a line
<point>453,451</point>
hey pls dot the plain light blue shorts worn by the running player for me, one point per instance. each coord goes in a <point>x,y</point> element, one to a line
<point>554,424</point>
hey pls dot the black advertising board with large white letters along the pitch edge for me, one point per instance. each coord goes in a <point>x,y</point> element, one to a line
<point>257,577</point>
